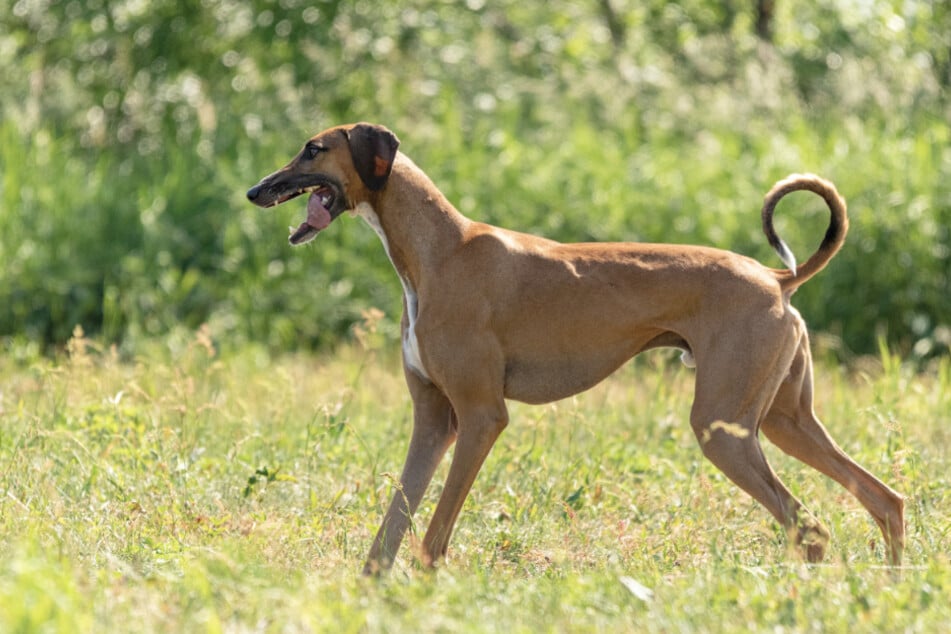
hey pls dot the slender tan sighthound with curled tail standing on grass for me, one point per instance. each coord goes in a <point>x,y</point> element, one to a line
<point>491,314</point>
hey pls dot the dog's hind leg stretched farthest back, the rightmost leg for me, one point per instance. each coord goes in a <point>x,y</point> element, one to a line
<point>791,424</point>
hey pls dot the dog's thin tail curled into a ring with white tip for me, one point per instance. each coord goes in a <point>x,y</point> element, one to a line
<point>831,243</point>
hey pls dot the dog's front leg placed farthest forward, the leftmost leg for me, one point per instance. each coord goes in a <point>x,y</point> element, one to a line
<point>434,430</point>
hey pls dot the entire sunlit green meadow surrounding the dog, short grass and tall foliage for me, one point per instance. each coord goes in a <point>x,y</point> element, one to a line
<point>200,427</point>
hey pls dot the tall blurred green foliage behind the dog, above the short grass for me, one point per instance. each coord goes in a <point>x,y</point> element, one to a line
<point>130,130</point>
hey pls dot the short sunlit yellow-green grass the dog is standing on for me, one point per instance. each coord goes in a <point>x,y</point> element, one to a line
<point>181,491</point>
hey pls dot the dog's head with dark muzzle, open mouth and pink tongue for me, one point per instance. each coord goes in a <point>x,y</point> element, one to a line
<point>339,168</point>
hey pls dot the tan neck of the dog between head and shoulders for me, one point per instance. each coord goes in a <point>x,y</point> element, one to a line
<point>419,227</point>
